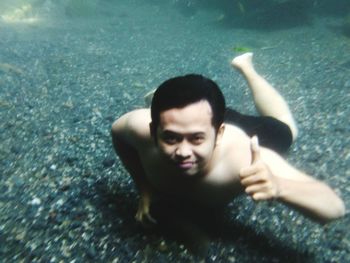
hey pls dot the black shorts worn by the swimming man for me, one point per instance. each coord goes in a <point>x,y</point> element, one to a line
<point>271,132</point>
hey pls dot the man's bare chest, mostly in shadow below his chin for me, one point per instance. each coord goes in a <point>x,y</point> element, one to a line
<point>219,186</point>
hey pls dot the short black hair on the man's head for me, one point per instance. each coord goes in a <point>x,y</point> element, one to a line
<point>182,91</point>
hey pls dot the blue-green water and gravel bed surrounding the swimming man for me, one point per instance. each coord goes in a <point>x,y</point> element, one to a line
<point>70,68</point>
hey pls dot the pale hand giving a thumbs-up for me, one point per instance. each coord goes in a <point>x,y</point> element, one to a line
<point>257,179</point>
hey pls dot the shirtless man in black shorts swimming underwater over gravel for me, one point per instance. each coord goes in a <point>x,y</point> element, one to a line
<point>189,147</point>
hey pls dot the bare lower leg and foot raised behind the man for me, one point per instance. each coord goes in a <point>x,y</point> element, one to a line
<point>267,100</point>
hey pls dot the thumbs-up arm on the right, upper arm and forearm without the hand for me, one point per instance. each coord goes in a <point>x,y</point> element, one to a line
<point>311,196</point>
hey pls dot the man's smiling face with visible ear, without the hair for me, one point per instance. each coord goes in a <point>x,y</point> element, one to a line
<point>187,137</point>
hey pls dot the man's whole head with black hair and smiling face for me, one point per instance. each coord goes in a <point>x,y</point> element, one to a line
<point>187,122</point>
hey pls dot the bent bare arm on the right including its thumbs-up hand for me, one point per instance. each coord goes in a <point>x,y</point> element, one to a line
<point>271,177</point>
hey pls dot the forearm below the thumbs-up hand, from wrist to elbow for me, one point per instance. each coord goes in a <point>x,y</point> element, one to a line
<point>313,198</point>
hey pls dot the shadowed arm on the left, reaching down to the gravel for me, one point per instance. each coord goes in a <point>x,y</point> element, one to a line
<point>123,137</point>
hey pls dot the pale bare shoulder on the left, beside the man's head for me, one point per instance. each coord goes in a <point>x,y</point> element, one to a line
<point>132,125</point>
